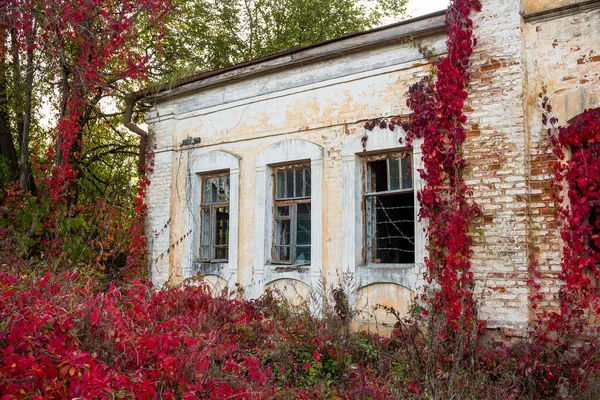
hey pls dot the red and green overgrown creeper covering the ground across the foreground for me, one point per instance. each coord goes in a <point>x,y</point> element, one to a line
<point>61,338</point>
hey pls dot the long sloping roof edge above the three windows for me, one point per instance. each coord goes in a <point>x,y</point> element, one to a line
<point>424,25</point>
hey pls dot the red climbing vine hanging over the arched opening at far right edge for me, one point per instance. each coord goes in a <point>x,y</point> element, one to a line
<point>577,175</point>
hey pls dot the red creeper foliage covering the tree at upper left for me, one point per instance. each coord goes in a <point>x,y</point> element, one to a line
<point>93,46</point>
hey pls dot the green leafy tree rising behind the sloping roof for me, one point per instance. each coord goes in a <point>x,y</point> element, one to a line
<point>211,34</point>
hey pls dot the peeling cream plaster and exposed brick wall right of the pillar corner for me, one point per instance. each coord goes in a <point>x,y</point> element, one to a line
<point>562,57</point>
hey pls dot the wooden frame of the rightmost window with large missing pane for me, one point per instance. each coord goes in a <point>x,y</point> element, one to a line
<point>369,236</point>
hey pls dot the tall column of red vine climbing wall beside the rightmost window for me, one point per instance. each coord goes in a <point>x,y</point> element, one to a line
<point>437,117</point>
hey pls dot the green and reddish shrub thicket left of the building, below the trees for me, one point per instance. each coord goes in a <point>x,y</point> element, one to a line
<point>96,239</point>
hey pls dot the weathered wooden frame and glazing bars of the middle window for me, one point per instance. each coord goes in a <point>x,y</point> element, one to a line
<point>292,203</point>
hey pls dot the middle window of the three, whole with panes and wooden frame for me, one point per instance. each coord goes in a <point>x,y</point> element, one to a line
<point>291,241</point>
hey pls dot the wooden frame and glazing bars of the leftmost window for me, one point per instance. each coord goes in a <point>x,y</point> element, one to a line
<point>212,209</point>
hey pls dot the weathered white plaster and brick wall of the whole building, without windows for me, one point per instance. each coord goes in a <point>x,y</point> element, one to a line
<point>320,106</point>
